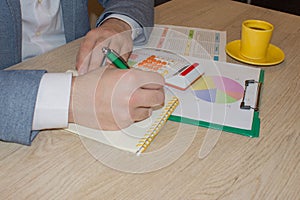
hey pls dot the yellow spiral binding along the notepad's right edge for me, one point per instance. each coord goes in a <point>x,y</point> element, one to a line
<point>157,125</point>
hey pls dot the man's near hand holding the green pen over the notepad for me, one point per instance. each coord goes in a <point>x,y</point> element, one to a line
<point>112,99</point>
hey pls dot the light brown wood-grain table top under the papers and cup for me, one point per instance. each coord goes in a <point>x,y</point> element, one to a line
<point>58,166</point>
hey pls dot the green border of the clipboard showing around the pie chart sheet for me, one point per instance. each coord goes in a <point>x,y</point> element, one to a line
<point>253,132</point>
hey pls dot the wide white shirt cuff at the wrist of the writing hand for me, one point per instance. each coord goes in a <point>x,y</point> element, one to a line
<point>52,104</point>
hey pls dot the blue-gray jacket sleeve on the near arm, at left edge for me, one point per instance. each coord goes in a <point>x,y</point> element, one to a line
<point>18,92</point>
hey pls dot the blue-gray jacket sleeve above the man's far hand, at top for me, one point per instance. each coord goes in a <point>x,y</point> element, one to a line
<point>142,11</point>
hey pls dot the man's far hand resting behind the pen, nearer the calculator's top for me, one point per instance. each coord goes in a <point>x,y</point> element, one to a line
<point>113,33</point>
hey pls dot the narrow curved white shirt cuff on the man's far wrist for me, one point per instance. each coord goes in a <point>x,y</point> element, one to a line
<point>135,27</point>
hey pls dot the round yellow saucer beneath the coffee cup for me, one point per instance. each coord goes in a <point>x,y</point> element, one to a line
<point>274,55</point>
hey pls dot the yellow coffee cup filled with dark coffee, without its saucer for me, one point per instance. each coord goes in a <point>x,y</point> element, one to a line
<point>255,38</point>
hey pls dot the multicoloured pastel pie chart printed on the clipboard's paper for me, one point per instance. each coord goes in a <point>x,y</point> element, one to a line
<point>218,89</point>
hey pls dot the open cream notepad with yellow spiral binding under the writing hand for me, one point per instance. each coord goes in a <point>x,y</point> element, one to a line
<point>137,137</point>
